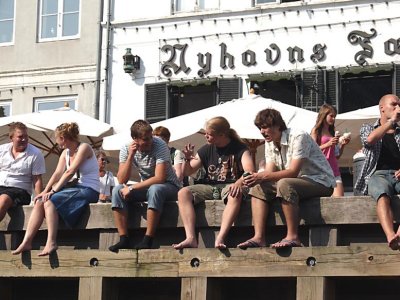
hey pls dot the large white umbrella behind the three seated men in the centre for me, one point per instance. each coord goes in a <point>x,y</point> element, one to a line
<point>239,112</point>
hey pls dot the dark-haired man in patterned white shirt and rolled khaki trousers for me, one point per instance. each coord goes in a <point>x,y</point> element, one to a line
<point>295,169</point>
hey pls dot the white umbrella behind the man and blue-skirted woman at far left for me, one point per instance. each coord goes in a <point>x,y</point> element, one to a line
<point>42,125</point>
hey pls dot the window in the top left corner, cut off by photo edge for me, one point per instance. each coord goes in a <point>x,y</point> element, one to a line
<point>6,21</point>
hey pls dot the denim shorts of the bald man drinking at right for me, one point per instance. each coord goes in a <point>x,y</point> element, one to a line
<point>383,182</point>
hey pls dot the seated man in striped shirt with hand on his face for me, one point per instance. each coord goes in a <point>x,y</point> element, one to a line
<point>150,157</point>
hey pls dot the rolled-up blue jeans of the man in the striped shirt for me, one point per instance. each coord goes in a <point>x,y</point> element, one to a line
<point>155,196</point>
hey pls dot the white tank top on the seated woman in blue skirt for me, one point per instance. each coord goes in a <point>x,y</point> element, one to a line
<point>88,172</point>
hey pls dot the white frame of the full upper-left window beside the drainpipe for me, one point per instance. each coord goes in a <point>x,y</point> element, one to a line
<point>60,15</point>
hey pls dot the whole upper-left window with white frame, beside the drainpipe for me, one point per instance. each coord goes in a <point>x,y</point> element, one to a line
<point>59,19</point>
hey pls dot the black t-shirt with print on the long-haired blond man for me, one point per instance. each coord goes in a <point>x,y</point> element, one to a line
<point>222,165</point>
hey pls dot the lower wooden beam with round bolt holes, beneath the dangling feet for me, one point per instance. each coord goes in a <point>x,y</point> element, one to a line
<point>358,260</point>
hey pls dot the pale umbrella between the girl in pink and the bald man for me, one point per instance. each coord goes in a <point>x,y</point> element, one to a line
<point>351,122</point>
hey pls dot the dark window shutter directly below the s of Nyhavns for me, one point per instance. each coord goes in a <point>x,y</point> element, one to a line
<point>313,90</point>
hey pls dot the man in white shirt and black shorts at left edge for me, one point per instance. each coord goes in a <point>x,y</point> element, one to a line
<point>21,168</point>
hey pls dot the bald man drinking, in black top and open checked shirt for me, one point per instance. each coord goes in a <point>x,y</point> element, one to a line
<point>380,175</point>
